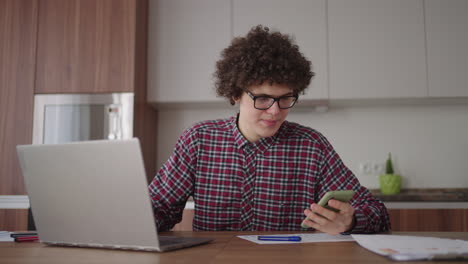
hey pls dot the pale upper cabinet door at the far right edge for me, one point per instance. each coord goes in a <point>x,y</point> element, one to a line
<point>447,42</point>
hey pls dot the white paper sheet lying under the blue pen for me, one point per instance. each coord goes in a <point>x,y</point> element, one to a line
<point>305,238</point>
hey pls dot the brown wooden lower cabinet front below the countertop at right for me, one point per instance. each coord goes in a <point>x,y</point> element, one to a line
<point>447,220</point>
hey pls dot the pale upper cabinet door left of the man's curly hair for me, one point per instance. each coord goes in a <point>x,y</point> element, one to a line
<point>186,38</point>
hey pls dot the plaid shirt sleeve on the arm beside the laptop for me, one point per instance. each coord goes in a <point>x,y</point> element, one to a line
<point>173,184</point>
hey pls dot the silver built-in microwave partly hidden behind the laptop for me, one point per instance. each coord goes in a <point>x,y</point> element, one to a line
<point>62,118</point>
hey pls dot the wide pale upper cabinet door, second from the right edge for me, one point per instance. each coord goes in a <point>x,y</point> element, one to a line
<point>377,49</point>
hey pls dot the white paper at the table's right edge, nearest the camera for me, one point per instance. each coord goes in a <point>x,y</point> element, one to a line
<point>414,247</point>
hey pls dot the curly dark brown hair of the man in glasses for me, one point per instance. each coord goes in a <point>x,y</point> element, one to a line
<point>258,57</point>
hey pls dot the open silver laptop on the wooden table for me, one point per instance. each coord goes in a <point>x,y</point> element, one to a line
<point>93,194</point>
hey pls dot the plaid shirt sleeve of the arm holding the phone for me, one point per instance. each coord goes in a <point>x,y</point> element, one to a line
<point>370,213</point>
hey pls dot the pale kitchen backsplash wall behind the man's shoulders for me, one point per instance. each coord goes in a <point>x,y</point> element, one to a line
<point>429,143</point>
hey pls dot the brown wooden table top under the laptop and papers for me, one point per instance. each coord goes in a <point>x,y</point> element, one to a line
<point>227,248</point>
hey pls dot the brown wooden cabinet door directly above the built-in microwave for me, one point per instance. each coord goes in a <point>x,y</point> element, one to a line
<point>85,46</point>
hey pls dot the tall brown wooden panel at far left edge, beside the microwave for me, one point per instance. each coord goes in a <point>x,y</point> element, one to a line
<point>18,26</point>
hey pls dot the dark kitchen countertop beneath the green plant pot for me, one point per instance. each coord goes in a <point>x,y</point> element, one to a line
<point>425,195</point>
